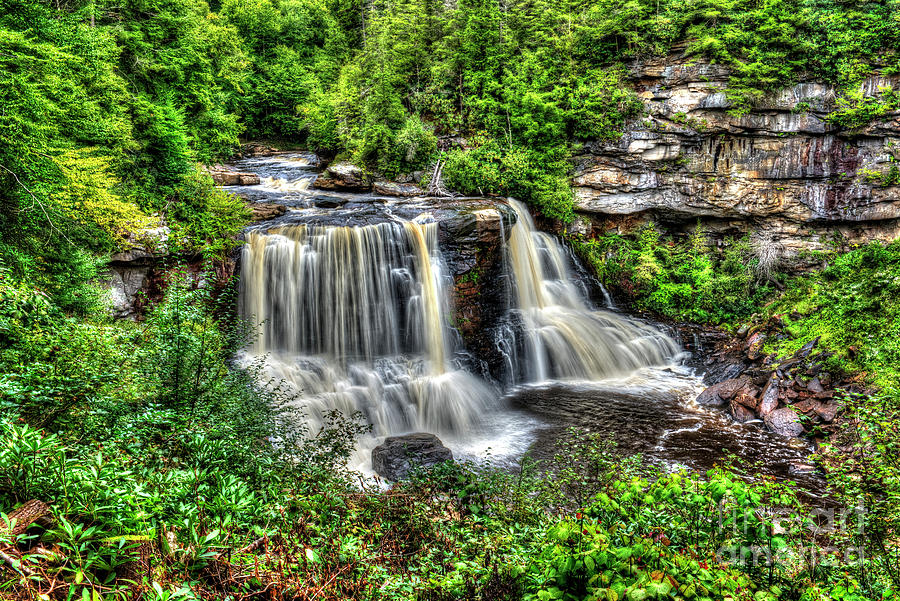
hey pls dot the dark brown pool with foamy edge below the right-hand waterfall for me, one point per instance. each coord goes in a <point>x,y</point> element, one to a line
<point>653,413</point>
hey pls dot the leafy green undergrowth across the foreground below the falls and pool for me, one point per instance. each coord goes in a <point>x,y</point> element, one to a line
<point>169,473</point>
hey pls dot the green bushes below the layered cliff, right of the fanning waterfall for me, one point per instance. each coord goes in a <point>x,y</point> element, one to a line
<point>681,279</point>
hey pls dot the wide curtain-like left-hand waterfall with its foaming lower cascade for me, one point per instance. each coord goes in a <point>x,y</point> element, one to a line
<point>356,319</point>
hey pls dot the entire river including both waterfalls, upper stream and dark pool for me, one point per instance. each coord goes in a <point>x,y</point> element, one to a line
<point>359,300</point>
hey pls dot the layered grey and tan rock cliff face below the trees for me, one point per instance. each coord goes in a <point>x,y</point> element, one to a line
<point>783,171</point>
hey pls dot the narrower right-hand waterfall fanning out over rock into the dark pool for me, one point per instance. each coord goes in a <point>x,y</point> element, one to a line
<point>552,332</point>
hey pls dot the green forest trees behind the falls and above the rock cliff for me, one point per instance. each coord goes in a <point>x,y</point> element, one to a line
<point>108,108</point>
